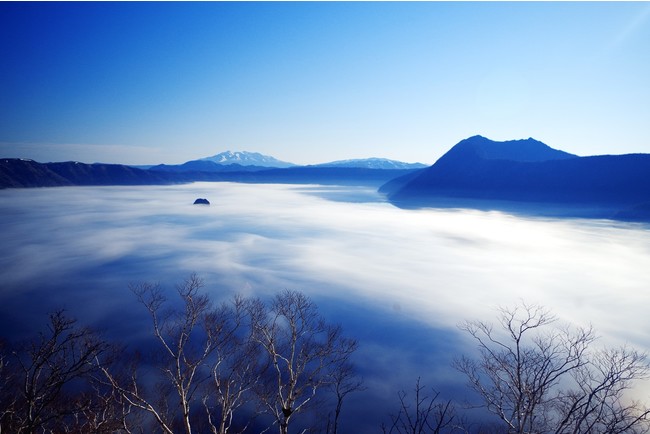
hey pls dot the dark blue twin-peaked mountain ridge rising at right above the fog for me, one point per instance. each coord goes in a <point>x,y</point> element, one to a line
<point>528,171</point>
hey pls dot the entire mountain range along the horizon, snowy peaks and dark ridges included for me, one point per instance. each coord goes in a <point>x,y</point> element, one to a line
<point>476,172</point>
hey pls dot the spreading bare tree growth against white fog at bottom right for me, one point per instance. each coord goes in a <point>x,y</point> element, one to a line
<point>538,378</point>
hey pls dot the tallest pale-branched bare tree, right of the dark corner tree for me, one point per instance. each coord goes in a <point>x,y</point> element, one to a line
<point>207,359</point>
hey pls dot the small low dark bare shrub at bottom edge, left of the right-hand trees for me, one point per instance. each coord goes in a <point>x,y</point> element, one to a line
<point>423,414</point>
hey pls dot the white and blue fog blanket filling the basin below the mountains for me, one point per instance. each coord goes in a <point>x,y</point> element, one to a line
<point>398,280</point>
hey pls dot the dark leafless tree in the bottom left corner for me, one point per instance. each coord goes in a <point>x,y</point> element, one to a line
<point>48,376</point>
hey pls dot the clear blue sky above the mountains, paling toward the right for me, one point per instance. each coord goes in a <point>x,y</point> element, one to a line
<point>145,83</point>
